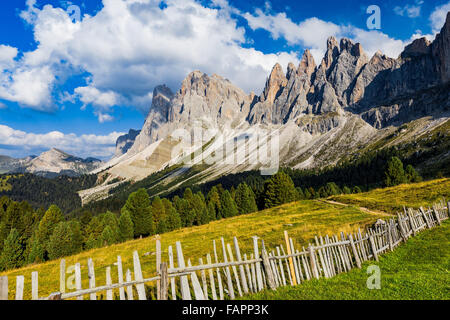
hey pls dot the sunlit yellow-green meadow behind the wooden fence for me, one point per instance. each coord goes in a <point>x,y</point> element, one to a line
<point>303,220</point>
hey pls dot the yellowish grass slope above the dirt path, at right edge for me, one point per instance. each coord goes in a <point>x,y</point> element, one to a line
<point>393,199</point>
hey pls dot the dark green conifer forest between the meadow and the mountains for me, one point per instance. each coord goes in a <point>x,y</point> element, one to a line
<point>30,234</point>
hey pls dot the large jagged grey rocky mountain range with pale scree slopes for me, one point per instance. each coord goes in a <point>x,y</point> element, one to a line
<point>321,113</point>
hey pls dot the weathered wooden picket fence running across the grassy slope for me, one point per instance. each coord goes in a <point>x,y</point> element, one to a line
<point>228,273</point>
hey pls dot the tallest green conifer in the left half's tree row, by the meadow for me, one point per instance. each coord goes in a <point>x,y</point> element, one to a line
<point>139,207</point>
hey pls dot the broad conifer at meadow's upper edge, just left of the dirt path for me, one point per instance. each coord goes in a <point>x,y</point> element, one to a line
<point>279,190</point>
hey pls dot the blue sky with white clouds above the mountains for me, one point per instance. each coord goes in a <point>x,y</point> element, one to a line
<point>78,84</point>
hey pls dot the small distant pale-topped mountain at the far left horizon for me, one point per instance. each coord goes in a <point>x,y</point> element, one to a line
<point>49,164</point>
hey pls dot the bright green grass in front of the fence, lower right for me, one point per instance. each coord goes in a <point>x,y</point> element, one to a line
<point>418,269</point>
